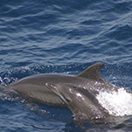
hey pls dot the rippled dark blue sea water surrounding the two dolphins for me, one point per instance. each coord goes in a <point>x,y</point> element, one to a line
<point>61,36</point>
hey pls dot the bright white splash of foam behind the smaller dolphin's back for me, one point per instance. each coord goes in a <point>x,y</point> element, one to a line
<point>118,103</point>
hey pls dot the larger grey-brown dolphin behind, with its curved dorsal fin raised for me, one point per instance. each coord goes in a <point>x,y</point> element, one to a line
<point>35,86</point>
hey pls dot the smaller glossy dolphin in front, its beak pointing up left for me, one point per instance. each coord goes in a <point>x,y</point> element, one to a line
<point>80,101</point>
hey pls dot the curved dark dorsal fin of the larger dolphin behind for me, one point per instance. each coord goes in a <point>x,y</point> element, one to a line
<point>93,72</point>
